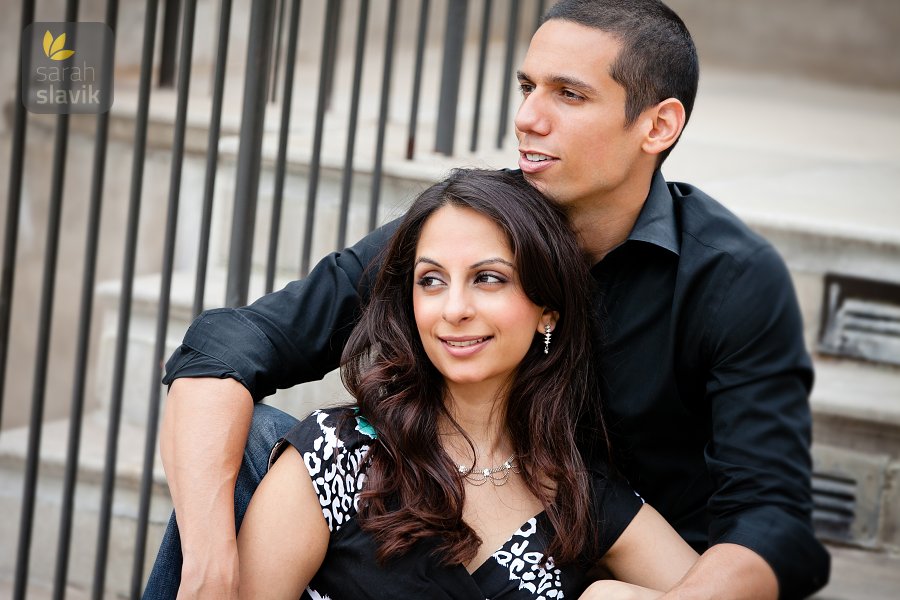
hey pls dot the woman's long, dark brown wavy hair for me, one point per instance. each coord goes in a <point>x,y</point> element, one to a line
<point>413,489</point>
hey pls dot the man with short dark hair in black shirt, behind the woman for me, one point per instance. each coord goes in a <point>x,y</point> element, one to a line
<point>705,374</point>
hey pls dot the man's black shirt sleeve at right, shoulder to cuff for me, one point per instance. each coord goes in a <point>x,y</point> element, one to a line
<point>759,455</point>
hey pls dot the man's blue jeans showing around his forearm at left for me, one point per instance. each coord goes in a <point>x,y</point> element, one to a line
<point>268,426</point>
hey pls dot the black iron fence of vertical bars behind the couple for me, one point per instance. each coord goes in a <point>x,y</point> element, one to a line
<point>269,77</point>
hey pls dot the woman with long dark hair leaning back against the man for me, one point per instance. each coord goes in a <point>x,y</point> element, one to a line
<point>473,464</point>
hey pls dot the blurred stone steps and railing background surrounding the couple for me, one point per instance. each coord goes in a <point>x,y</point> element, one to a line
<point>248,139</point>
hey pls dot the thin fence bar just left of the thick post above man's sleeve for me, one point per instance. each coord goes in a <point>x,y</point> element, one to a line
<point>212,155</point>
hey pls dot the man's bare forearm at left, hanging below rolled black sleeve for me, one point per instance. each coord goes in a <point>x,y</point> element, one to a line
<point>202,439</point>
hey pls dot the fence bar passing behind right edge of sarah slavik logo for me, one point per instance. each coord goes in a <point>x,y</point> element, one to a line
<point>83,339</point>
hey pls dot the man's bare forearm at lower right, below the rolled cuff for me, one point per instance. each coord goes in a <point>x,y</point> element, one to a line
<point>730,572</point>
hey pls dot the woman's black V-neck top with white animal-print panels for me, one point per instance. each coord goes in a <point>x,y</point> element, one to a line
<point>350,571</point>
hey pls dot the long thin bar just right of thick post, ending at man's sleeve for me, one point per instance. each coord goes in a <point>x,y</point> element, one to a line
<point>281,163</point>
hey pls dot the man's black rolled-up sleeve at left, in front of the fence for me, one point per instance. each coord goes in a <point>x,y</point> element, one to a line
<point>287,337</point>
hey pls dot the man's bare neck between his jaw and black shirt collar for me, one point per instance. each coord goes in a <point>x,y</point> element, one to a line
<point>604,223</point>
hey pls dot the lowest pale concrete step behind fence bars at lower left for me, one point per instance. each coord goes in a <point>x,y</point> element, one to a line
<point>47,508</point>
